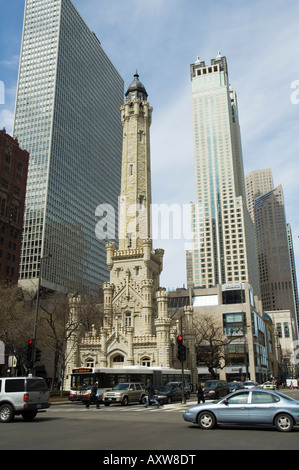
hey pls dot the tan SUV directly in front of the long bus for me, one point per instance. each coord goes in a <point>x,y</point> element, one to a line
<point>125,393</point>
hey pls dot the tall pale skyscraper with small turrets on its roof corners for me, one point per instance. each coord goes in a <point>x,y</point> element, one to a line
<point>224,245</point>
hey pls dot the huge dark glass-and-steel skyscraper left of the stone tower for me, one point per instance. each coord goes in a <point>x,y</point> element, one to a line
<point>67,116</point>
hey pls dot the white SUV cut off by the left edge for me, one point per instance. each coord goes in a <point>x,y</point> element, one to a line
<point>22,396</point>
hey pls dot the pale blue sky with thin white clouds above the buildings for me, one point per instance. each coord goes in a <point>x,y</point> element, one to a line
<point>160,39</point>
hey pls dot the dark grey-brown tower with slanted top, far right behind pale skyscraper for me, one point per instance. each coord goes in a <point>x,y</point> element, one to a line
<point>277,291</point>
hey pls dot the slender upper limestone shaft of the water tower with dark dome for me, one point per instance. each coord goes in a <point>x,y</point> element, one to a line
<point>135,217</point>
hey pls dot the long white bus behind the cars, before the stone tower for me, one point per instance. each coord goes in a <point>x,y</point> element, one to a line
<point>82,378</point>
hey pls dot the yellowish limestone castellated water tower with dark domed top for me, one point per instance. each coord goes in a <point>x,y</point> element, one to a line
<point>131,306</point>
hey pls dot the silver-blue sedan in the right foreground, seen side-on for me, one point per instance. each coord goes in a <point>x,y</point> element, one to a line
<point>247,407</point>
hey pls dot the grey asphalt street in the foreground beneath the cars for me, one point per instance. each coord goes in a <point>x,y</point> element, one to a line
<point>70,426</point>
